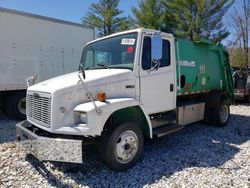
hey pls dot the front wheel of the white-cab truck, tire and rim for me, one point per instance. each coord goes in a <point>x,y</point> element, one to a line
<point>122,146</point>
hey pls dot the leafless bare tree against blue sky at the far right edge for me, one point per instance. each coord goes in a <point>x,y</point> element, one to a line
<point>240,24</point>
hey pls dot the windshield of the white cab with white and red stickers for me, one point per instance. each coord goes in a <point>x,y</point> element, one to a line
<point>115,52</point>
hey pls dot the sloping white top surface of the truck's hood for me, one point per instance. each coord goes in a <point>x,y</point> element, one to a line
<point>93,78</point>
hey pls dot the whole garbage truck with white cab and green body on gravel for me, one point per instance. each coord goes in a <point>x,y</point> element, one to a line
<point>130,86</point>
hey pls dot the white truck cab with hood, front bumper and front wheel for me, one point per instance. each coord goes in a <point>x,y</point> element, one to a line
<point>125,91</point>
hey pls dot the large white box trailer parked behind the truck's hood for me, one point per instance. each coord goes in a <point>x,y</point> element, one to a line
<point>35,47</point>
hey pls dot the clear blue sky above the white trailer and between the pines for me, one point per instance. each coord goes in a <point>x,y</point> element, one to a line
<point>68,10</point>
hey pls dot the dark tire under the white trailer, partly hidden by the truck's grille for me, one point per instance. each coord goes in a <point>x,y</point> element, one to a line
<point>15,105</point>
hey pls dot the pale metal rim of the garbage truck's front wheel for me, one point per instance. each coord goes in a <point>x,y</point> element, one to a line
<point>126,147</point>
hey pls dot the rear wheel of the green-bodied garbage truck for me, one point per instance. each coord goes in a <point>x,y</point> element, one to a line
<point>221,114</point>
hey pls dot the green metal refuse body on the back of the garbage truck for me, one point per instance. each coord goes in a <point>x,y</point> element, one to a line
<point>202,67</point>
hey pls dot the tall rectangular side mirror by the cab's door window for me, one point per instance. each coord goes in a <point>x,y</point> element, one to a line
<point>156,48</point>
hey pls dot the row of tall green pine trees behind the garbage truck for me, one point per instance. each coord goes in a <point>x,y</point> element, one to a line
<point>188,19</point>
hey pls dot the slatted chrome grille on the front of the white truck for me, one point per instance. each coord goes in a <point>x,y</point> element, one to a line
<point>39,108</point>
